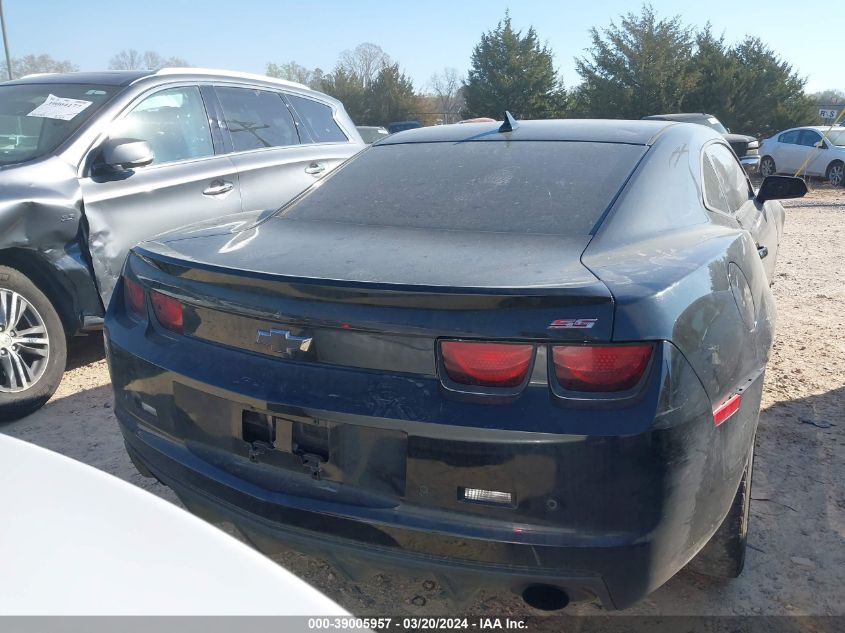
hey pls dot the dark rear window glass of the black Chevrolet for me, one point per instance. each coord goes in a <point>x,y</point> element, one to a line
<point>515,187</point>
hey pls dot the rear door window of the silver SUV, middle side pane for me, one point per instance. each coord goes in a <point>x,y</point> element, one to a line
<point>256,118</point>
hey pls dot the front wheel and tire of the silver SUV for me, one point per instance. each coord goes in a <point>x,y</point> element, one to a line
<point>17,400</point>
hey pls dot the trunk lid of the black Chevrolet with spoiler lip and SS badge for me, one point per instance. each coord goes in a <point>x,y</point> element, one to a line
<point>322,277</point>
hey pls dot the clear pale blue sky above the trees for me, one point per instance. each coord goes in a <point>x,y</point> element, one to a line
<point>424,37</point>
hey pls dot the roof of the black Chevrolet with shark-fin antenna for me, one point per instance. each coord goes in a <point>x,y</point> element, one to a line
<point>592,130</point>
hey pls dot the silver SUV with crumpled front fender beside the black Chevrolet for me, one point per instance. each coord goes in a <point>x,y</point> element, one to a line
<point>92,163</point>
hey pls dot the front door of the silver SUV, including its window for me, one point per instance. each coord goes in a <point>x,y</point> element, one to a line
<point>187,181</point>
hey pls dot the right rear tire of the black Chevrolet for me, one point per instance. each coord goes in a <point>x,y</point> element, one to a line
<point>724,554</point>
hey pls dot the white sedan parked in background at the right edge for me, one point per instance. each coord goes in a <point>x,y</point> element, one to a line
<point>822,148</point>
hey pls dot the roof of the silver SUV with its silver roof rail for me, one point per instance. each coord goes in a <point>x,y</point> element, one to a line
<point>127,77</point>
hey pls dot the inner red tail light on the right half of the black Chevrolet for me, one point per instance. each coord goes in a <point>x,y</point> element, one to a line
<point>486,364</point>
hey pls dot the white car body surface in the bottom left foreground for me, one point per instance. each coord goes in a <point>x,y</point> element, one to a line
<point>77,541</point>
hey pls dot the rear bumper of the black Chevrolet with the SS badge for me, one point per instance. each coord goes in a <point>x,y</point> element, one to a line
<point>629,511</point>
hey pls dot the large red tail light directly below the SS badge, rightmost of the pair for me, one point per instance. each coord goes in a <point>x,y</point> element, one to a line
<point>600,367</point>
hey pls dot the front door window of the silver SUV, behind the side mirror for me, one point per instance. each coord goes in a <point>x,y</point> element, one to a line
<point>173,121</point>
